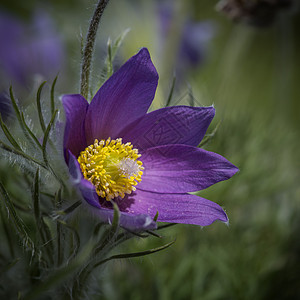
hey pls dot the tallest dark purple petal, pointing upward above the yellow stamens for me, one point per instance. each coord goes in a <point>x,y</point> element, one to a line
<point>123,98</point>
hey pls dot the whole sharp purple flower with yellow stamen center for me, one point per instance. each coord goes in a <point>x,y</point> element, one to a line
<point>144,162</point>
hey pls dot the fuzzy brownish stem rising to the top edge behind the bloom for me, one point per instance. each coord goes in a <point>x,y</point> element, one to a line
<point>89,48</point>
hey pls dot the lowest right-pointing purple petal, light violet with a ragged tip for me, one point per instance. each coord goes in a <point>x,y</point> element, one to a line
<point>177,208</point>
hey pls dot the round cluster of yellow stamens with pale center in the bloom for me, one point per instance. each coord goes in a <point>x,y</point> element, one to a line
<point>112,167</point>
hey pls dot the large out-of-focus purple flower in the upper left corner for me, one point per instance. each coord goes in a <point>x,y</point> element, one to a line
<point>29,49</point>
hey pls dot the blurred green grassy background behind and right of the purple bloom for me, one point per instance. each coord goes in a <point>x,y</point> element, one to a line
<point>251,75</point>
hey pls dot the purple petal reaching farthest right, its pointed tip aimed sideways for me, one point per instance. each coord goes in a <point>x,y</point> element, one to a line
<point>182,168</point>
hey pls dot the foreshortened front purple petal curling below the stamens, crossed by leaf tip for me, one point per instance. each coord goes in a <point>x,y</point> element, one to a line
<point>87,189</point>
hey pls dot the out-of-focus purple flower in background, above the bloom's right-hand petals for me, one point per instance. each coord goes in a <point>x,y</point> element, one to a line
<point>194,37</point>
